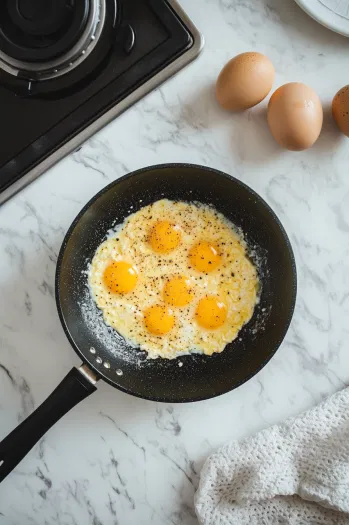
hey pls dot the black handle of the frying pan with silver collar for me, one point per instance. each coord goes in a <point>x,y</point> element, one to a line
<point>76,386</point>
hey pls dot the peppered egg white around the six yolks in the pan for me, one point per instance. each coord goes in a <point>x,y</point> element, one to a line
<point>235,280</point>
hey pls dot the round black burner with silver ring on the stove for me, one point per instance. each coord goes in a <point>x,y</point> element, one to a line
<point>44,39</point>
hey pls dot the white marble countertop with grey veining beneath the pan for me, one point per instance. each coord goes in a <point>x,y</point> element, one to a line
<point>116,459</point>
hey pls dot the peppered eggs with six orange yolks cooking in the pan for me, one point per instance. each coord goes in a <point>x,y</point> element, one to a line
<point>175,278</point>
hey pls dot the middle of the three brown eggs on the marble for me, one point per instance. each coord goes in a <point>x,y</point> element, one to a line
<point>295,116</point>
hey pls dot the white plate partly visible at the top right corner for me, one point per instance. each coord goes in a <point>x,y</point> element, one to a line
<point>333,14</point>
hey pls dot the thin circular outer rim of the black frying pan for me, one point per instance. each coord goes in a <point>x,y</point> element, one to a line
<point>176,165</point>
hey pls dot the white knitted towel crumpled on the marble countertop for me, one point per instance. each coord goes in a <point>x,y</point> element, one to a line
<point>296,473</point>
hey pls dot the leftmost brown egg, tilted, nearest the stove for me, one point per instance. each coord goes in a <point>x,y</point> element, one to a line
<point>244,81</point>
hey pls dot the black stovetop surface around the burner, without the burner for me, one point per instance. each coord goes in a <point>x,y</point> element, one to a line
<point>38,117</point>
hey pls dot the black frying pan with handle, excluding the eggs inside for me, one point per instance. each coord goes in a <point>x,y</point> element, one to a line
<point>189,378</point>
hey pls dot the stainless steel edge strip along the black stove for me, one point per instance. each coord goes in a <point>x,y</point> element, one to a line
<point>110,115</point>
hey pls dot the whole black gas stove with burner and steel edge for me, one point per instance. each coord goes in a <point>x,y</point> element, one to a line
<point>68,67</point>
